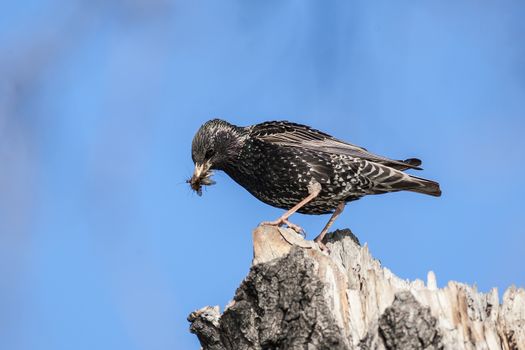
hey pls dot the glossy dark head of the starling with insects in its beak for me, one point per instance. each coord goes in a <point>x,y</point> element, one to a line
<point>214,146</point>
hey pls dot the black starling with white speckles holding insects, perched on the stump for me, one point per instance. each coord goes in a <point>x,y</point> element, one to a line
<point>298,168</point>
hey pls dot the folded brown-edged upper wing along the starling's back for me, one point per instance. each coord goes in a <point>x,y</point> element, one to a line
<point>297,135</point>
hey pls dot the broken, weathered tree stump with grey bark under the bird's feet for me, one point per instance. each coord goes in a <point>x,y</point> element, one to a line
<point>297,297</point>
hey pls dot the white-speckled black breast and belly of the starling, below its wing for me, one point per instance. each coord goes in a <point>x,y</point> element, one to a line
<point>280,176</point>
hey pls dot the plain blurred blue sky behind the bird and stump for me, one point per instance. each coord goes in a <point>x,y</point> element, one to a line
<point>102,243</point>
